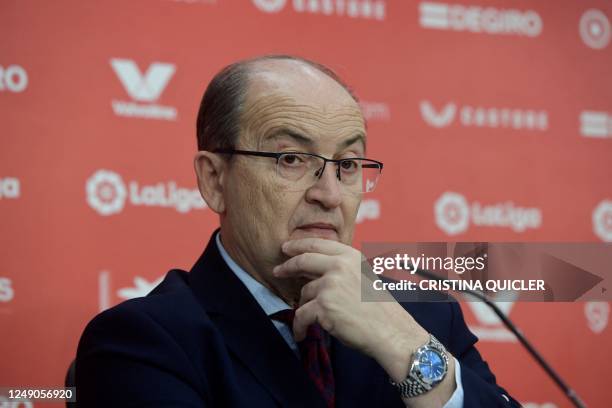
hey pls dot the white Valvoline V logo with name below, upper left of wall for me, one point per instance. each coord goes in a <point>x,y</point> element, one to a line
<point>144,89</point>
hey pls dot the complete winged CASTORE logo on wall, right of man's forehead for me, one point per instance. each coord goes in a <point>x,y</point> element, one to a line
<point>478,116</point>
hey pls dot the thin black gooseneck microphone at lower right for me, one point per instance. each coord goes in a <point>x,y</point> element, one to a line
<point>567,390</point>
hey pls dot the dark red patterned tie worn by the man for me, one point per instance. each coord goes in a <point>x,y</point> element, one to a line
<point>315,357</point>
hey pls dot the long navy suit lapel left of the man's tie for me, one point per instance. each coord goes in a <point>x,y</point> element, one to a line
<point>249,333</point>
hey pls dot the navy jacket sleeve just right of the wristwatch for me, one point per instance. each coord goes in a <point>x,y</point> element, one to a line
<point>479,384</point>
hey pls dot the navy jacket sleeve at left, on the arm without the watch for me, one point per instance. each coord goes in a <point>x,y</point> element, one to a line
<point>126,359</point>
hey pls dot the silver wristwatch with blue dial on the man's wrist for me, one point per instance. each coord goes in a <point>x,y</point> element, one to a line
<point>428,368</point>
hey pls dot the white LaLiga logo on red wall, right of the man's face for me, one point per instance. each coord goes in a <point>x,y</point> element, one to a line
<point>453,215</point>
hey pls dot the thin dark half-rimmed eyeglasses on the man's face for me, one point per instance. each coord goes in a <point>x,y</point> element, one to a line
<point>299,171</point>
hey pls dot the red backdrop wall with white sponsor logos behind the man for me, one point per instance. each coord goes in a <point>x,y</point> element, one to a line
<point>493,119</point>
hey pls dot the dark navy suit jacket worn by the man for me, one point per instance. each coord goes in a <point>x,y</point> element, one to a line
<point>200,339</point>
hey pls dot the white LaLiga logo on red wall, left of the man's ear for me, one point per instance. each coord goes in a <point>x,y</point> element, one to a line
<point>107,194</point>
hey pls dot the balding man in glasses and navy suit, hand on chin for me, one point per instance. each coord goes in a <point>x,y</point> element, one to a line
<point>271,313</point>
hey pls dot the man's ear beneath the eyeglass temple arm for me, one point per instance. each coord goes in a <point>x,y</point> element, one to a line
<point>210,169</point>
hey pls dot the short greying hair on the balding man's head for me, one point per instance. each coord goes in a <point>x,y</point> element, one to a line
<point>218,122</point>
